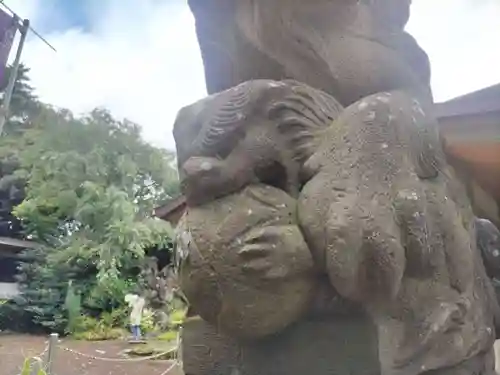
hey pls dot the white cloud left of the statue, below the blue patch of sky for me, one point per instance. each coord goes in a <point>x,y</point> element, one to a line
<point>141,61</point>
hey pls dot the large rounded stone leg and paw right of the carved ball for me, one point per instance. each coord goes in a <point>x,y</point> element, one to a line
<point>392,224</point>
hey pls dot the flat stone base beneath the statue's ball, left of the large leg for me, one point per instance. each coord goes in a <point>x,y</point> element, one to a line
<point>340,346</point>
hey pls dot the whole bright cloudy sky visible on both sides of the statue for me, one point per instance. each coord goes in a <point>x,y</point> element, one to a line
<point>140,58</point>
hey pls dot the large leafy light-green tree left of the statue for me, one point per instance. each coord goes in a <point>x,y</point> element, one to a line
<point>91,186</point>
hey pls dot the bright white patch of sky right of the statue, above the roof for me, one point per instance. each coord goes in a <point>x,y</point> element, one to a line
<point>462,40</point>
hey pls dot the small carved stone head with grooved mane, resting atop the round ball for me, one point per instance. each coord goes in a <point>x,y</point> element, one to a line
<point>258,131</point>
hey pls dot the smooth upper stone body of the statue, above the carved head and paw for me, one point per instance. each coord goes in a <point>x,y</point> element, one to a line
<point>347,48</point>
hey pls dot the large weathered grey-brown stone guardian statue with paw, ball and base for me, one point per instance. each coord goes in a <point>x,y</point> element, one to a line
<point>325,232</point>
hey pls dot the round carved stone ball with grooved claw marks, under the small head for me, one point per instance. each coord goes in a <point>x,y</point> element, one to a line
<point>248,270</point>
